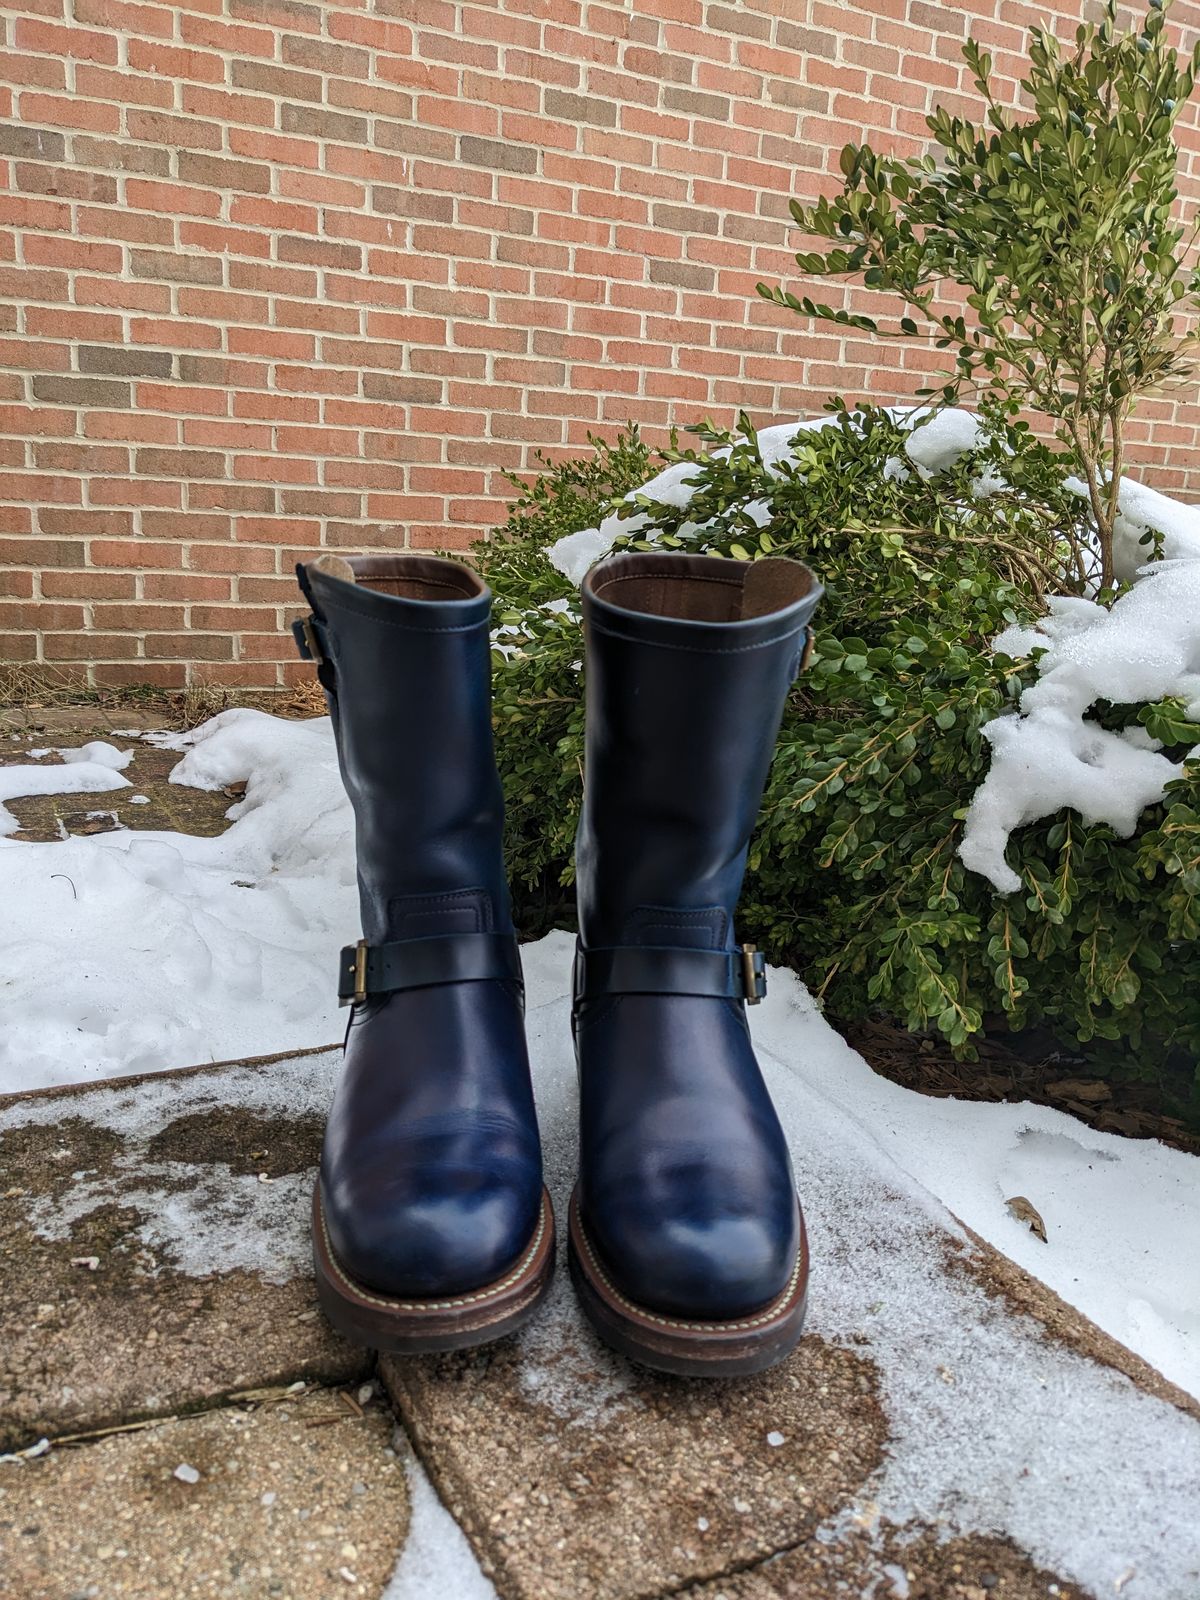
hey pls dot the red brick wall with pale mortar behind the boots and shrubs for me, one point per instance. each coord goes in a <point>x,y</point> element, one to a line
<point>279,276</point>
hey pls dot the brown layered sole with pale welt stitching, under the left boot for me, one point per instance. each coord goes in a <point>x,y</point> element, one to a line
<point>410,1327</point>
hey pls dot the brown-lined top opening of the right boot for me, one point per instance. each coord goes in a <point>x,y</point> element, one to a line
<point>700,588</point>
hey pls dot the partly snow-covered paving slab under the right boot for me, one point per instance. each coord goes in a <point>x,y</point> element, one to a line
<point>946,1417</point>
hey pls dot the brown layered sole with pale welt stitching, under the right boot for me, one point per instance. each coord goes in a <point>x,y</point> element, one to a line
<point>687,1348</point>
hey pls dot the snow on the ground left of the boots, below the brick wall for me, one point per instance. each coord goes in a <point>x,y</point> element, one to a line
<point>137,951</point>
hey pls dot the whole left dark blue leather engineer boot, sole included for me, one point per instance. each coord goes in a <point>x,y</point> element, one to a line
<point>433,1230</point>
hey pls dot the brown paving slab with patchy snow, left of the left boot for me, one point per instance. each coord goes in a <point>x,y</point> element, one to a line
<point>154,1246</point>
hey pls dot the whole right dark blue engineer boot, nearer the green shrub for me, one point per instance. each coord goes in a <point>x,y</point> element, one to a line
<point>687,1242</point>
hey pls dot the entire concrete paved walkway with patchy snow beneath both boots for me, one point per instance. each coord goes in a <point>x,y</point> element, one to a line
<point>156,1271</point>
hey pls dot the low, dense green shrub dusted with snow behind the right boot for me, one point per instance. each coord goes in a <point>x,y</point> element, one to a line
<point>854,871</point>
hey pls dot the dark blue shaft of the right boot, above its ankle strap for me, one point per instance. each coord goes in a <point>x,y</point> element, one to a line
<point>689,666</point>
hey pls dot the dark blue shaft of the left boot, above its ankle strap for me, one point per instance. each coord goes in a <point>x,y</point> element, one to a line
<point>407,671</point>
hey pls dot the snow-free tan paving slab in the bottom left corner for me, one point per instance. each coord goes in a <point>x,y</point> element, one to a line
<point>295,1502</point>
